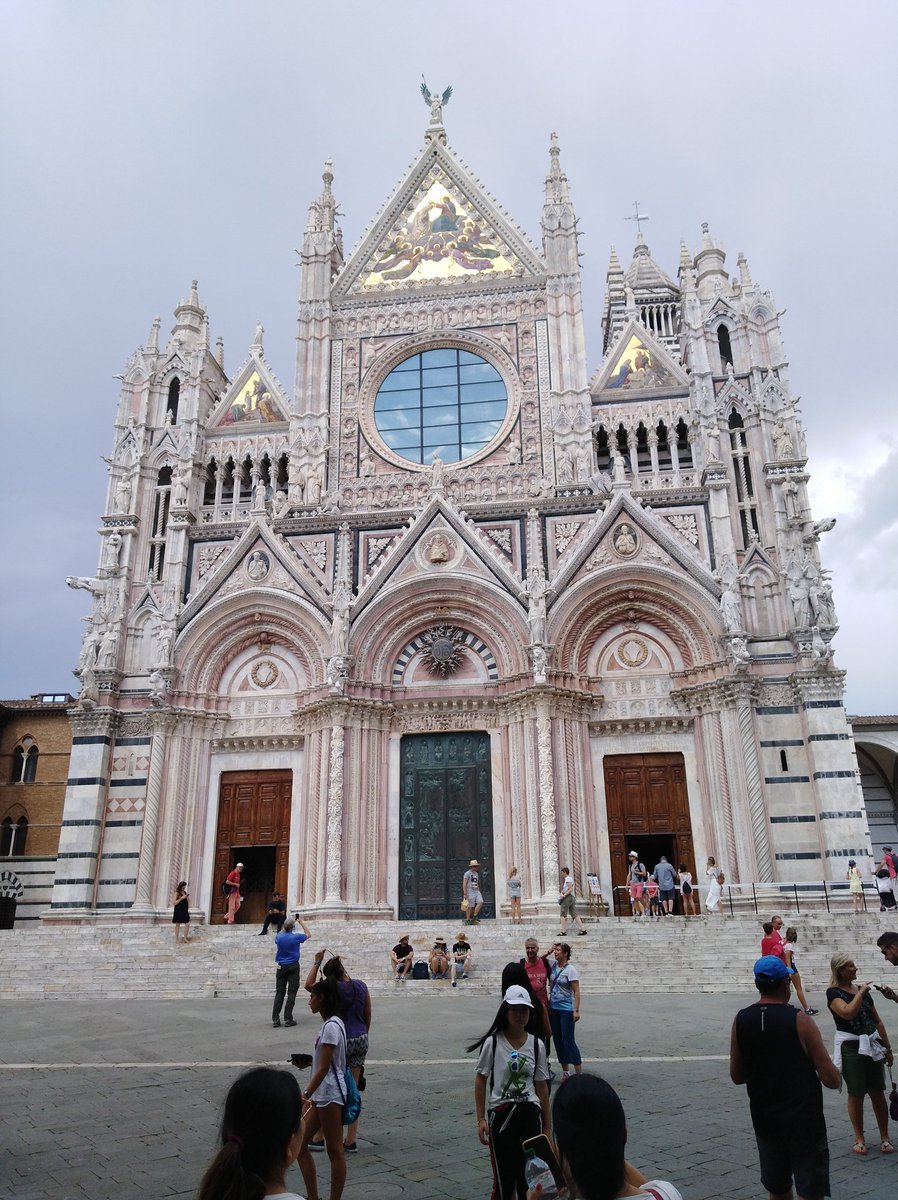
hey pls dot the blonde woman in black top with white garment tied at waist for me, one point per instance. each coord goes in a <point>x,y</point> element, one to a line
<point>854,1012</point>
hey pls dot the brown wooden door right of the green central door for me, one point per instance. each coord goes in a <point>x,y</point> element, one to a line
<point>648,811</point>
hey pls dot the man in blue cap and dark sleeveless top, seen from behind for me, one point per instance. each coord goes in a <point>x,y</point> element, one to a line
<point>777,1051</point>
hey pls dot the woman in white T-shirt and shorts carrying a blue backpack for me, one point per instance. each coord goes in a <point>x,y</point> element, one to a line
<point>326,1093</point>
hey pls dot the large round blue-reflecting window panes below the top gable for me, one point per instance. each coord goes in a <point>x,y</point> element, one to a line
<point>445,403</point>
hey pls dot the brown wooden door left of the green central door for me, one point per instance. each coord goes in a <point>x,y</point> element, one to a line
<point>254,829</point>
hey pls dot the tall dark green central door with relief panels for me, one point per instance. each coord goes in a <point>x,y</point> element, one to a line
<point>446,820</point>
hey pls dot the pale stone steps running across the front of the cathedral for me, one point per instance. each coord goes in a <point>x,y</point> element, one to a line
<point>675,955</point>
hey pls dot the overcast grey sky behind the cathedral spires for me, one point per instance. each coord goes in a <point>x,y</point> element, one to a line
<point>145,145</point>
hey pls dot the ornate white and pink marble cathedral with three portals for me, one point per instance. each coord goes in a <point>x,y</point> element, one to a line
<point>458,595</point>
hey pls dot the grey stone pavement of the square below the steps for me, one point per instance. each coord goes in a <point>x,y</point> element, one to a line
<point>123,1100</point>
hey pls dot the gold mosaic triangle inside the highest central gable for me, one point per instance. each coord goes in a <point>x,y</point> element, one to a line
<point>440,236</point>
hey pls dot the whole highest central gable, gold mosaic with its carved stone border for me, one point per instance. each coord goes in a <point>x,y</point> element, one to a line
<point>440,227</point>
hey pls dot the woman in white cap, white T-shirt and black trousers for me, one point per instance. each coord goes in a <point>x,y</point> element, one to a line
<point>511,1091</point>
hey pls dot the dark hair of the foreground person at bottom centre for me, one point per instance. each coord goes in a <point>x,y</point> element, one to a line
<point>591,1135</point>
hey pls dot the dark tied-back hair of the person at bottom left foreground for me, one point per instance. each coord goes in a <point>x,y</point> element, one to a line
<point>262,1113</point>
